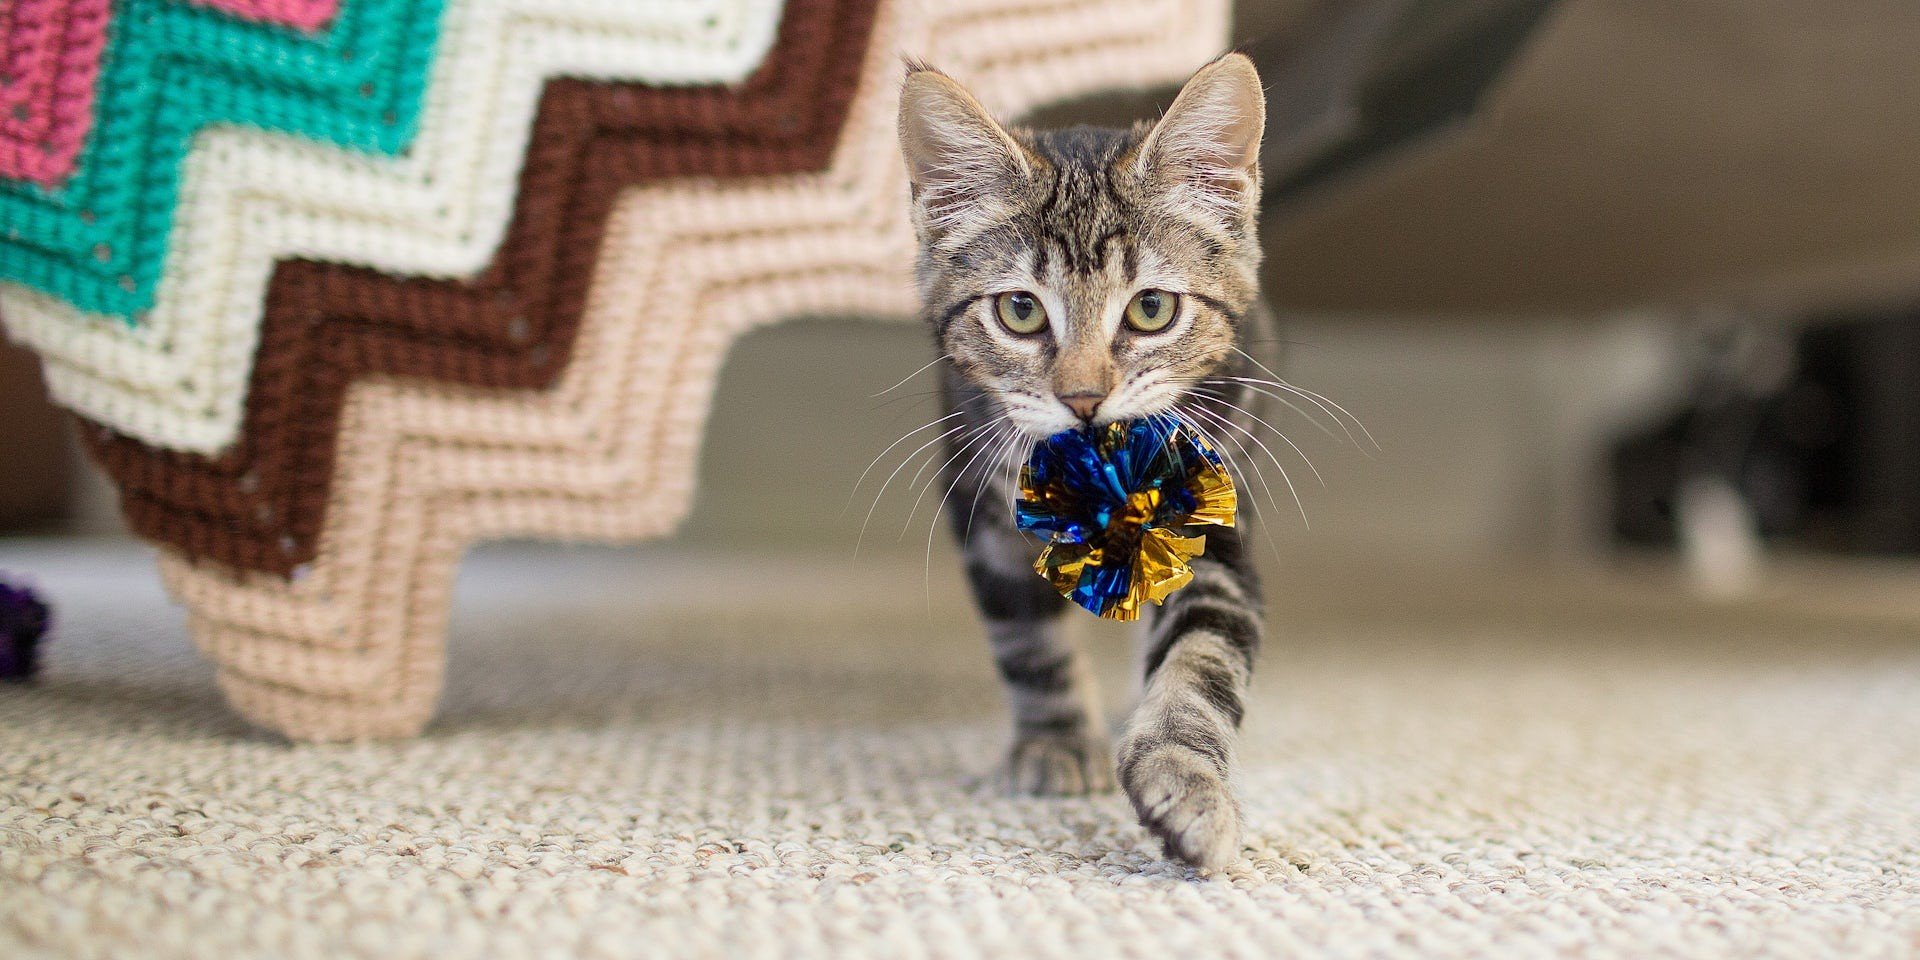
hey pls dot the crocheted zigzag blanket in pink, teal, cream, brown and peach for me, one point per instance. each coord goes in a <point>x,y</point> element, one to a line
<point>341,287</point>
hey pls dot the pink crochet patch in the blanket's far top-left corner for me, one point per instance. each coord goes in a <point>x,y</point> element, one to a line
<point>49,62</point>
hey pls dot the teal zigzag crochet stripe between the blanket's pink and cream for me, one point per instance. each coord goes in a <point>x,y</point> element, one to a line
<point>174,68</point>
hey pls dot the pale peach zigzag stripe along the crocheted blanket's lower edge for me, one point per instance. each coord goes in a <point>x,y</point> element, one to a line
<point>354,648</point>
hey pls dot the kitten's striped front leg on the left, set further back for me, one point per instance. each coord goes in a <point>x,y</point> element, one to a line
<point>1059,742</point>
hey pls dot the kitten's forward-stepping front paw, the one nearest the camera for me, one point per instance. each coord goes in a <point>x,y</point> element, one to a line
<point>1184,800</point>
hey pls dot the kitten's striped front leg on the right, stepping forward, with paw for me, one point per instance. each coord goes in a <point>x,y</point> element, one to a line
<point>1176,757</point>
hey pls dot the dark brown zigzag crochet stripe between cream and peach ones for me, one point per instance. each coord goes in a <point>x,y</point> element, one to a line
<point>262,504</point>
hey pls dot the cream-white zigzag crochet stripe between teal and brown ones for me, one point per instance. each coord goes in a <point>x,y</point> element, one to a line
<point>180,379</point>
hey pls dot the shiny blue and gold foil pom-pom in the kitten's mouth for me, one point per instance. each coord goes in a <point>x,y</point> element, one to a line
<point>1115,504</point>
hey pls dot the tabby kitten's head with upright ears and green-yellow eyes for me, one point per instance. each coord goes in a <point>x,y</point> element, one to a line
<point>1088,276</point>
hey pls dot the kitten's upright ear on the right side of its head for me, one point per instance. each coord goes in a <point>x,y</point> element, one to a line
<point>1205,153</point>
